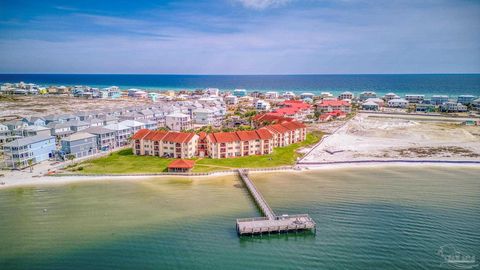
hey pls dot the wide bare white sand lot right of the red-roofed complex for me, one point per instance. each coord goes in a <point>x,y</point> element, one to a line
<point>370,137</point>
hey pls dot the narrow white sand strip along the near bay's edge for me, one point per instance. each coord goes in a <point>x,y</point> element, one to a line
<point>300,168</point>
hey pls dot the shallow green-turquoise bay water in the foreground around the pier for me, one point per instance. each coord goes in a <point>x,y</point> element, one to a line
<point>385,218</point>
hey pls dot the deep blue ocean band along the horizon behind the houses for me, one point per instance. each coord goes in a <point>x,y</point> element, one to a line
<point>427,84</point>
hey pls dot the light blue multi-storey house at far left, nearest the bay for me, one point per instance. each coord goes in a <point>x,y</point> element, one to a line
<point>36,148</point>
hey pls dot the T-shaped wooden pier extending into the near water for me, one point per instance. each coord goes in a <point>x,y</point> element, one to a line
<point>270,223</point>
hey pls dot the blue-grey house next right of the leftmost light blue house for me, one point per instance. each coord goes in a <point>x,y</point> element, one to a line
<point>80,144</point>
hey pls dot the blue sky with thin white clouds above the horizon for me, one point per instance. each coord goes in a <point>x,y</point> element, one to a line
<point>240,36</point>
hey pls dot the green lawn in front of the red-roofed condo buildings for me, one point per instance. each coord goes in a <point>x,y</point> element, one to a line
<point>125,162</point>
